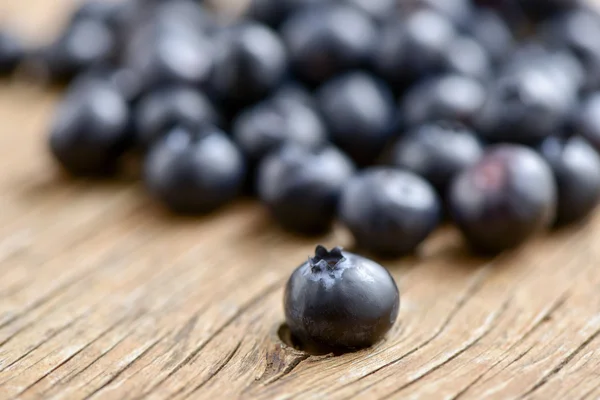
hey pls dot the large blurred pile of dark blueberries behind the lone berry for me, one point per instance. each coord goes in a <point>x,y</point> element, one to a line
<point>387,116</point>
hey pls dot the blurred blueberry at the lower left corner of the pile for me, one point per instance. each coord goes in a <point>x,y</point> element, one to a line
<point>91,129</point>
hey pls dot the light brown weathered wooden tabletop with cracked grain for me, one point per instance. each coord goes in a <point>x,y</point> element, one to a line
<point>102,295</point>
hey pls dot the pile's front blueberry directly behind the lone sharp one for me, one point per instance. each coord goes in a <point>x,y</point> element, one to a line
<point>390,212</point>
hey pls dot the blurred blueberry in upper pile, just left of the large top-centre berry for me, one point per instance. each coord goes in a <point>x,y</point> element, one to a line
<point>250,63</point>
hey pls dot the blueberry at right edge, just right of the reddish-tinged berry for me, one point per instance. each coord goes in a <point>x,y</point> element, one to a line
<point>576,167</point>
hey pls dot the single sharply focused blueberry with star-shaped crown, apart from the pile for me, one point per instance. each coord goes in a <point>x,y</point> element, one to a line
<point>339,300</point>
